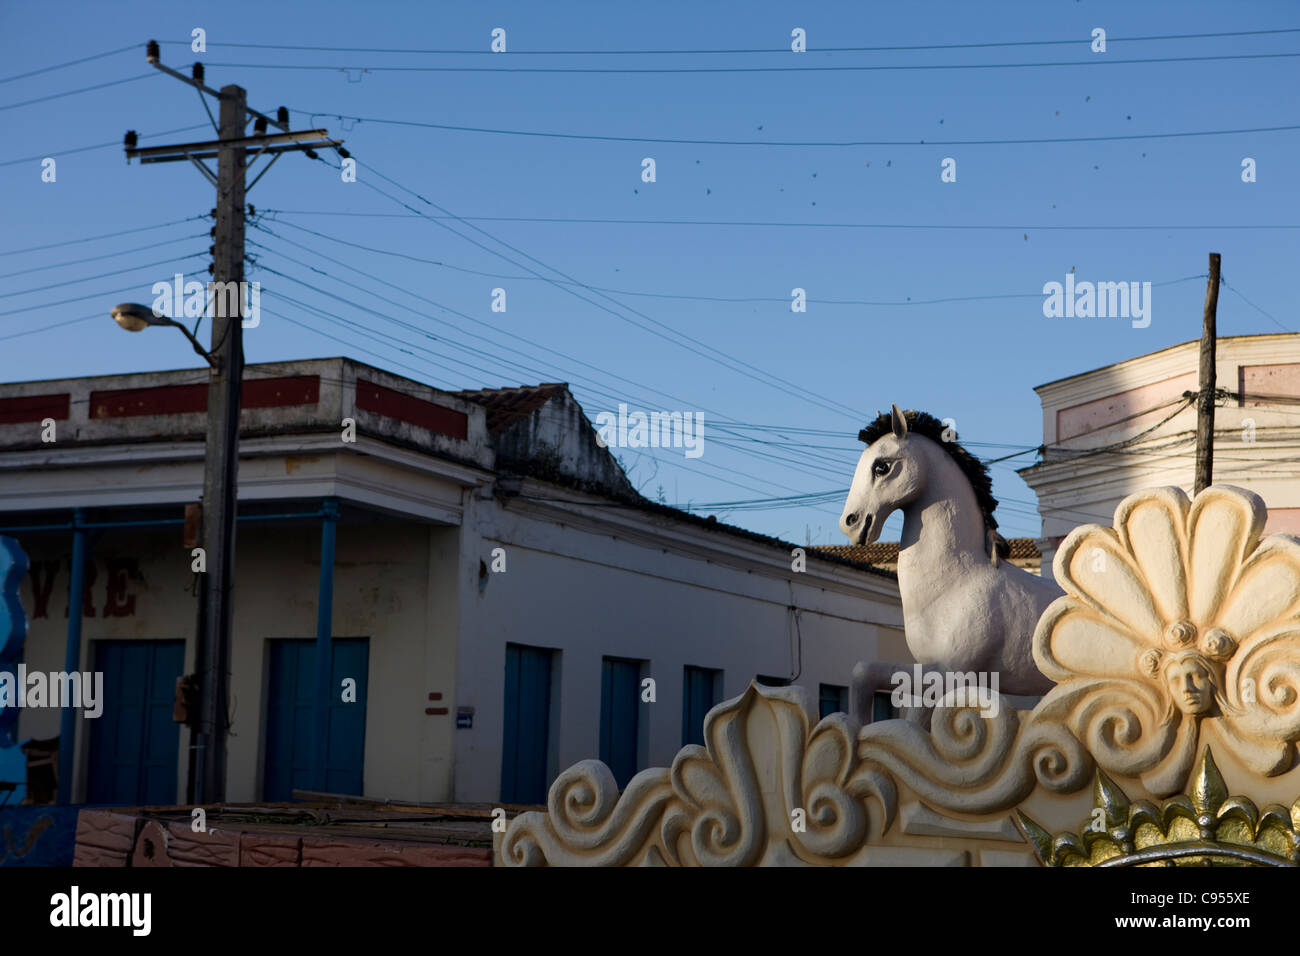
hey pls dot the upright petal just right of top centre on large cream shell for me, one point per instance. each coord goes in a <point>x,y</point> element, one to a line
<point>1224,526</point>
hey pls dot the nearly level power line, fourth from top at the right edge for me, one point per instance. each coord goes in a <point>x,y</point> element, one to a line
<point>766,224</point>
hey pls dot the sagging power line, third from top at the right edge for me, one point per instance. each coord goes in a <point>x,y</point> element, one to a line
<point>834,144</point>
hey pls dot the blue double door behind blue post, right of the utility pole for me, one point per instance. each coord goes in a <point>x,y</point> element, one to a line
<point>291,715</point>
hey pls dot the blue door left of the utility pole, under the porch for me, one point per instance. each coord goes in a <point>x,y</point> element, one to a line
<point>135,743</point>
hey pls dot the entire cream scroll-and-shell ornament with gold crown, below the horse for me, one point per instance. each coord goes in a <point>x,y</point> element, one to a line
<point>1178,615</point>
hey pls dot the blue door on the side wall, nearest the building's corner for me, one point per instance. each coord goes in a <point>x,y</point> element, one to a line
<point>526,745</point>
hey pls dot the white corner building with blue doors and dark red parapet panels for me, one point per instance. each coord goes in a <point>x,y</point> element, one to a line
<point>502,596</point>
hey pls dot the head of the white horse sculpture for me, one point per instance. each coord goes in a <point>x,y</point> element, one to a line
<point>890,475</point>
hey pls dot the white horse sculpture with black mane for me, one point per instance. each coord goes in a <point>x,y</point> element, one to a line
<point>965,609</point>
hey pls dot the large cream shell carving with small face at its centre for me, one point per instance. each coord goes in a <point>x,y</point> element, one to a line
<point>1180,613</point>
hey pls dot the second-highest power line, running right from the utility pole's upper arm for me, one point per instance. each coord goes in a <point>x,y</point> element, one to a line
<point>1098,62</point>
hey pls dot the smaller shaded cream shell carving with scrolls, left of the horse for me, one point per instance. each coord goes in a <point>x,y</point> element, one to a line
<point>768,789</point>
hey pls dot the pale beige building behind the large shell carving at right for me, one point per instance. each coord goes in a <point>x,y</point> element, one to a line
<point>1133,426</point>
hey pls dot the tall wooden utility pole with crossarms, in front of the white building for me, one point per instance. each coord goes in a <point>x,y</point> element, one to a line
<point>235,153</point>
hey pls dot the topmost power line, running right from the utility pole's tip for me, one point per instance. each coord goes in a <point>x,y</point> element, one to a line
<point>760,50</point>
